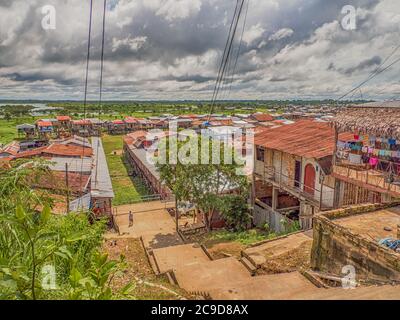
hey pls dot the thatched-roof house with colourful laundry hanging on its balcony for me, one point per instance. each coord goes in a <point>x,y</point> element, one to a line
<point>368,165</point>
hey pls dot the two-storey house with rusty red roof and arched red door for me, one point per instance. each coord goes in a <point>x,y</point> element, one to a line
<point>292,176</point>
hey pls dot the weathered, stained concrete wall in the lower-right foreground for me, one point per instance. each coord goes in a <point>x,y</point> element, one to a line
<point>335,247</point>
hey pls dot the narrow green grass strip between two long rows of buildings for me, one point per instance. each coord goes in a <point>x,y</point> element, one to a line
<point>127,190</point>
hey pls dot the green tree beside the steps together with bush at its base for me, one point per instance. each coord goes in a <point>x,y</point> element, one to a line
<point>207,185</point>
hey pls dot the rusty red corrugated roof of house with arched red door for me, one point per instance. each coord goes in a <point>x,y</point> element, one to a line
<point>305,138</point>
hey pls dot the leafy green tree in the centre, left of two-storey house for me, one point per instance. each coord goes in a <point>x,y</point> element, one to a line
<point>205,185</point>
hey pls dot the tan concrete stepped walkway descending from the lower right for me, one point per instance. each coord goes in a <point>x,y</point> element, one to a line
<point>226,278</point>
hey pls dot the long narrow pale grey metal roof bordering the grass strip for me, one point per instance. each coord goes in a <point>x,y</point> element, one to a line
<point>101,186</point>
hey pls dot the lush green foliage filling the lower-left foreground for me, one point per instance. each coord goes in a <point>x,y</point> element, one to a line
<point>44,256</point>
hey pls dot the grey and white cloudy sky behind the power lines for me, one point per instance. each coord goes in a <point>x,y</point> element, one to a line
<point>171,49</point>
